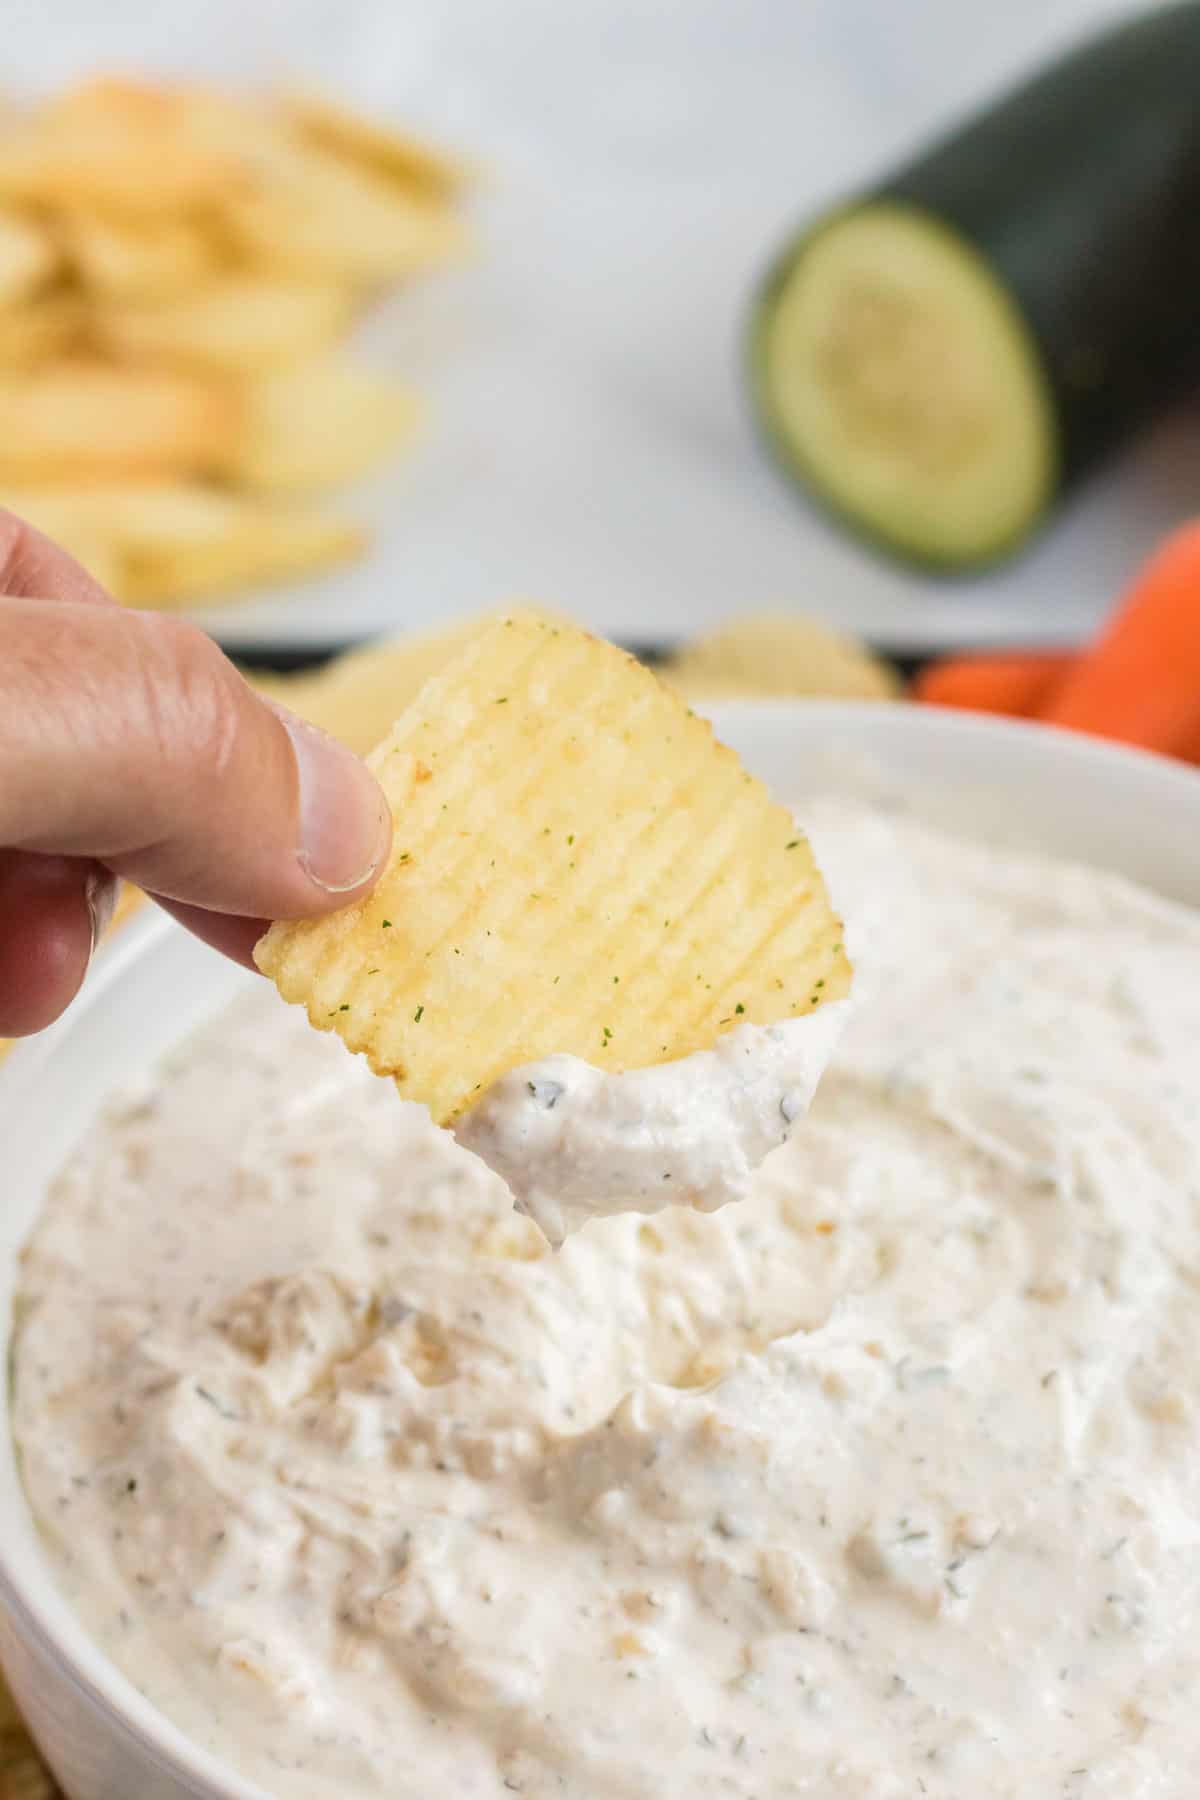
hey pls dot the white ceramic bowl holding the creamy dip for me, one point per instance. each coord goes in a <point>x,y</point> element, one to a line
<point>1016,784</point>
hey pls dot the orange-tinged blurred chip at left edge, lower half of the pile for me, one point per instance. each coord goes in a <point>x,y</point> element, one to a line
<point>73,420</point>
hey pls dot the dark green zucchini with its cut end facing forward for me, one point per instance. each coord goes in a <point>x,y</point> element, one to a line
<point>942,359</point>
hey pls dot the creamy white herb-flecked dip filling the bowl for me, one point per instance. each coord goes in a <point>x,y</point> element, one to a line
<point>881,1484</point>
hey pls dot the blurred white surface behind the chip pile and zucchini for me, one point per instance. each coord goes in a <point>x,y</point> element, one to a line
<point>589,440</point>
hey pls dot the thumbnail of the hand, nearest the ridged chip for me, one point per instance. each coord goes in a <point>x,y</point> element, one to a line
<point>345,825</point>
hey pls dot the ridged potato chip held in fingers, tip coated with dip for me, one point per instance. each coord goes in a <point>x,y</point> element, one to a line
<point>598,937</point>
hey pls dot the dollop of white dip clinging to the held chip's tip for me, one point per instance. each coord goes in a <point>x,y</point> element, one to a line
<point>575,1142</point>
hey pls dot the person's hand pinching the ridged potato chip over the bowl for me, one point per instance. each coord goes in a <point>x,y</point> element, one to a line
<point>132,748</point>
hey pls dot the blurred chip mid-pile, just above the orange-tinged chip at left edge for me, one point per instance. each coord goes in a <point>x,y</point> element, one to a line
<point>237,321</point>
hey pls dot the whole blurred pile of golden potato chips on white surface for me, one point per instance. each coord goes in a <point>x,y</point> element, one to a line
<point>177,273</point>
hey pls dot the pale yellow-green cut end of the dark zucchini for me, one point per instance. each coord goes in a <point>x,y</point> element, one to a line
<point>899,381</point>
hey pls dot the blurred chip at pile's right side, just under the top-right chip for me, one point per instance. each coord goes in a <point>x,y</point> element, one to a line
<point>316,215</point>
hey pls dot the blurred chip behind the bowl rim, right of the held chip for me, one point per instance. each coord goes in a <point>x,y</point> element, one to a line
<point>780,654</point>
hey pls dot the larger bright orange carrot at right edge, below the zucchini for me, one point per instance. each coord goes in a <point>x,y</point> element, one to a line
<point>1142,681</point>
